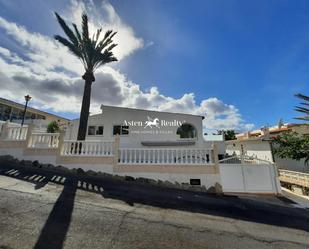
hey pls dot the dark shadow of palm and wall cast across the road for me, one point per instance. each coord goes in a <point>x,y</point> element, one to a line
<point>134,193</point>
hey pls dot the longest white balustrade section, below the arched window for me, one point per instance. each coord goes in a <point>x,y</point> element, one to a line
<point>165,156</point>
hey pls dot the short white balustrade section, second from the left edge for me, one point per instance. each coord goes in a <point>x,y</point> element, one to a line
<point>44,140</point>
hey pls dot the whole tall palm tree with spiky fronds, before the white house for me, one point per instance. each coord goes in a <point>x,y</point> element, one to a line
<point>93,53</point>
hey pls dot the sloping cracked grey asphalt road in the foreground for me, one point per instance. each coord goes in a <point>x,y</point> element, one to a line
<point>47,210</point>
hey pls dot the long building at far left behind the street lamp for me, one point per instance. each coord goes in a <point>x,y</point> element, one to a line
<point>10,110</point>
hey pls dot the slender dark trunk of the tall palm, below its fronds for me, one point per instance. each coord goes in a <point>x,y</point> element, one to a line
<point>84,113</point>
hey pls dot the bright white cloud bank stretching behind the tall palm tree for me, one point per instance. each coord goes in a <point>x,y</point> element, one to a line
<point>51,75</point>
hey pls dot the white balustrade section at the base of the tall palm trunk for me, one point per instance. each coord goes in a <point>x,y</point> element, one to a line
<point>88,148</point>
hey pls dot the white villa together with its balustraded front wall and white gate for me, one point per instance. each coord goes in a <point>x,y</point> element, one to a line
<point>161,146</point>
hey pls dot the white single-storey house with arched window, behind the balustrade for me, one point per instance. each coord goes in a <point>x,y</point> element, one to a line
<point>139,128</point>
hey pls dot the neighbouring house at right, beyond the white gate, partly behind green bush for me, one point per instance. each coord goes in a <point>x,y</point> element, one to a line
<point>258,144</point>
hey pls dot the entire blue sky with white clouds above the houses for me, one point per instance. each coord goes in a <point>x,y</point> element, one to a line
<point>237,62</point>
